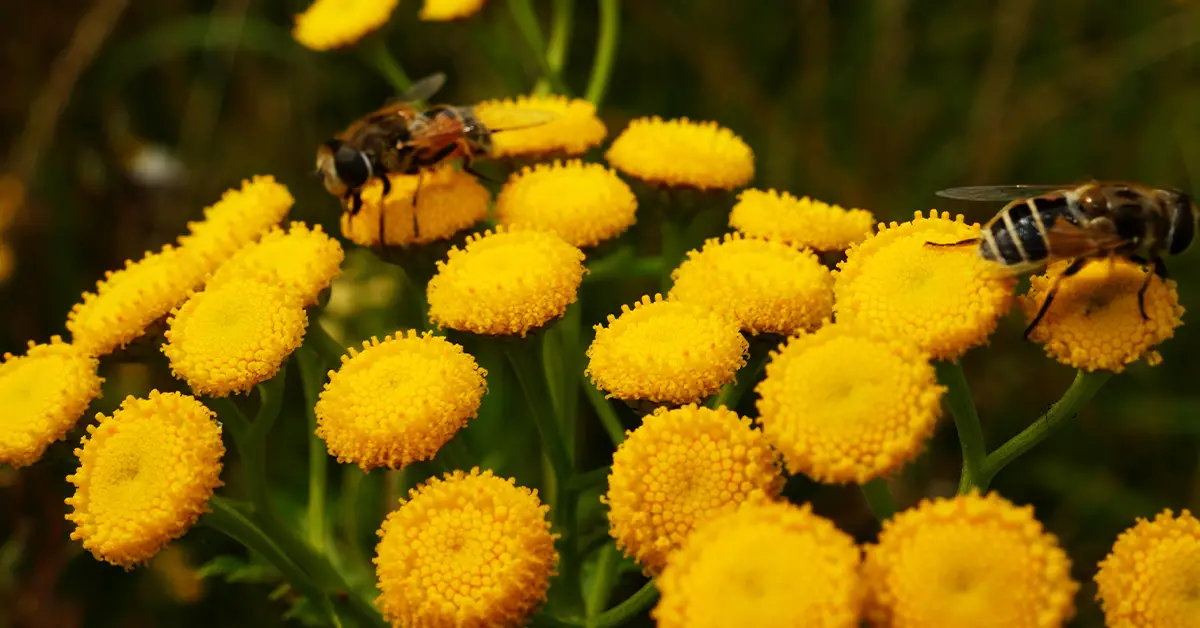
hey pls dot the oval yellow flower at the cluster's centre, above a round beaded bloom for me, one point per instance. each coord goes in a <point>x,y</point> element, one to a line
<point>665,352</point>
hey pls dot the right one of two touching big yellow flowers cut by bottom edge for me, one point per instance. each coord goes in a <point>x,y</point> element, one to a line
<point>971,560</point>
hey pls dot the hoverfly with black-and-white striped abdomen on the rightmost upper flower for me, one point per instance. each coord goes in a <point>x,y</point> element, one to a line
<point>1046,224</point>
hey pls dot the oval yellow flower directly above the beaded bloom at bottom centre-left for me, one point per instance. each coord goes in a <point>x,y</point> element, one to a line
<point>424,390</point>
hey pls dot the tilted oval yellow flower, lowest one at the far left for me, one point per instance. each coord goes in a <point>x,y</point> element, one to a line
<point>146,476</point>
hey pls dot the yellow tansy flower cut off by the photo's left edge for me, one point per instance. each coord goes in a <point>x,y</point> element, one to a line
<point>44,392</point>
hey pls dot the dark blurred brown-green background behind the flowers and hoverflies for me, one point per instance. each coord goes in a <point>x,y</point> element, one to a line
<point>123,121</point>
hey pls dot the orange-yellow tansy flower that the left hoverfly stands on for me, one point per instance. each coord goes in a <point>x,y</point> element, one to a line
<point>448,202</point>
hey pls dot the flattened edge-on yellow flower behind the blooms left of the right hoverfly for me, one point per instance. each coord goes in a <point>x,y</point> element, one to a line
<point>803,223</point>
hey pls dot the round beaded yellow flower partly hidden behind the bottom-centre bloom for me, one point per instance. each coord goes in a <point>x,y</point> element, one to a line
<point>681,469</point>
